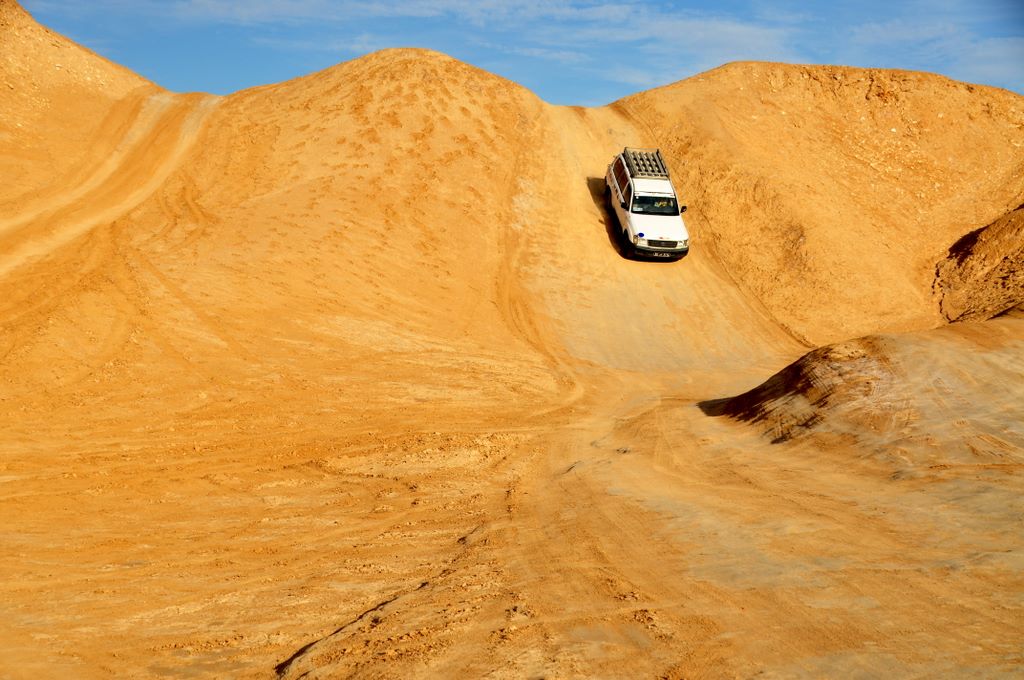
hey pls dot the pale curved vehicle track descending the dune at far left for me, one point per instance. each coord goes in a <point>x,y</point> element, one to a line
<point>165,132</point>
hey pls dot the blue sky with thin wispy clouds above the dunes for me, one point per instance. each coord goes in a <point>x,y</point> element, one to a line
<point>580,52</point>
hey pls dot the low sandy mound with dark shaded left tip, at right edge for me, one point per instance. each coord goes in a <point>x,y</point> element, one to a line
<point>917,399</point>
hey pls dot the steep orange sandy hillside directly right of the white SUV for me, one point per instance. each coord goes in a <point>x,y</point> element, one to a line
<point>831,193</point>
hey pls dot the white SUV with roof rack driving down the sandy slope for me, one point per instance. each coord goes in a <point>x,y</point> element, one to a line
<point>639,192</point>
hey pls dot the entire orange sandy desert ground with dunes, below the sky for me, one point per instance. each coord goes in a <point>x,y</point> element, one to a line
<point>347,377</point>
